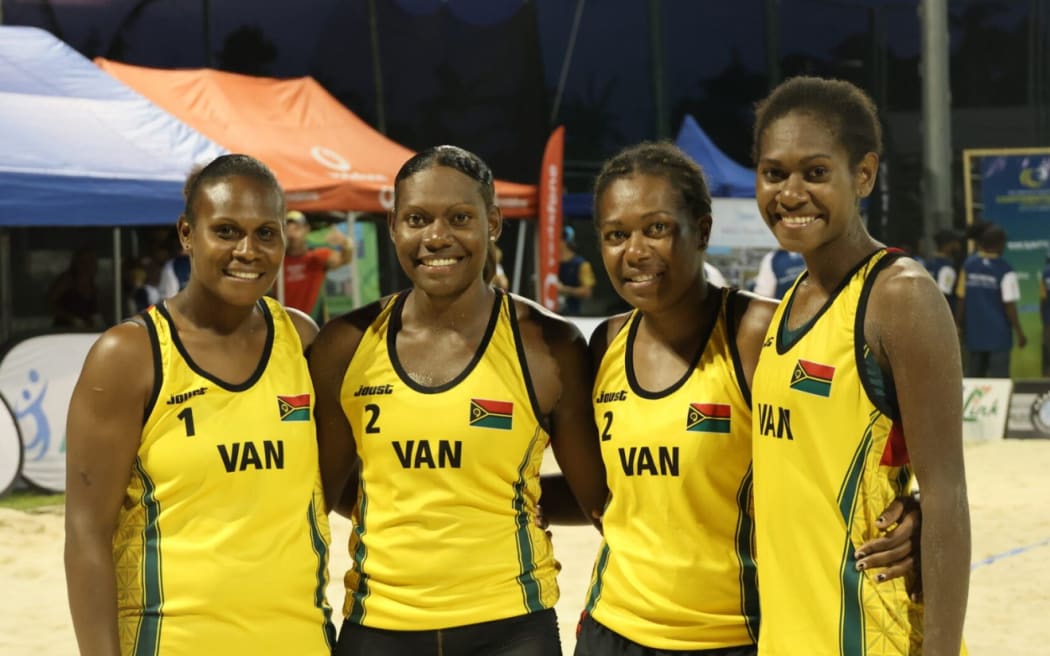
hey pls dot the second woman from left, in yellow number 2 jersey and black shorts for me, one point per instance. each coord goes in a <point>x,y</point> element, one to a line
<point>436,406</point>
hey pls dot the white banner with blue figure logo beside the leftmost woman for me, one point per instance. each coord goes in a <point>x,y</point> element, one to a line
<point>37,377</point>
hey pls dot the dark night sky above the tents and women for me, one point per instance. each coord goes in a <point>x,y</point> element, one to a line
<point>484,73</point>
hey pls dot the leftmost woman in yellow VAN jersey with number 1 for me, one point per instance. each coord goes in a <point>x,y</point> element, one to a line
<point>195,515</point>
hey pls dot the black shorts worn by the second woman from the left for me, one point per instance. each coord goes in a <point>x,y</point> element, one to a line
<point>534,634</point>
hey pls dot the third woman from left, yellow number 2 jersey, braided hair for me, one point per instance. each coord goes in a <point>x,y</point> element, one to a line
<point>677,570</point>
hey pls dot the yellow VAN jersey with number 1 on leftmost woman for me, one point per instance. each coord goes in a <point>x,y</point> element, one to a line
<point>222,544</point>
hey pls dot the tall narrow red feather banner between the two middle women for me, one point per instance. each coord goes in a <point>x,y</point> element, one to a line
<point>552,174</point>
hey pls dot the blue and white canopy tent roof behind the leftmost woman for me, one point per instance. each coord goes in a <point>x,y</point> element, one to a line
<point>80,147</point>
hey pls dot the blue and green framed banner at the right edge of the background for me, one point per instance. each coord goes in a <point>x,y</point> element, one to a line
<point>1015,188</point>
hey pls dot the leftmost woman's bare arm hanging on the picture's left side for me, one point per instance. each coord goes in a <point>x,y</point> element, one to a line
<point>103,434</point>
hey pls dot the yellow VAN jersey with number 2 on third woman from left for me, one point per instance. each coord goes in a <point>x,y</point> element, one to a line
<point>677,567</point>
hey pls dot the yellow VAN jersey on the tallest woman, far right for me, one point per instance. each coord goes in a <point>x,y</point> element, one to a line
<point>826,467</point>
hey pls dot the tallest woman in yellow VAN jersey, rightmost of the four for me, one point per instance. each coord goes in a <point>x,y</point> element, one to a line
<point>857,386</point>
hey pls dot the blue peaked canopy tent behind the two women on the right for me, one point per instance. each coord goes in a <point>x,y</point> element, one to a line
<point>726,178</point>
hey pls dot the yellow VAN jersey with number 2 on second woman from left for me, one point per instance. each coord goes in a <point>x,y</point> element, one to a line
<point>444,526</point>
